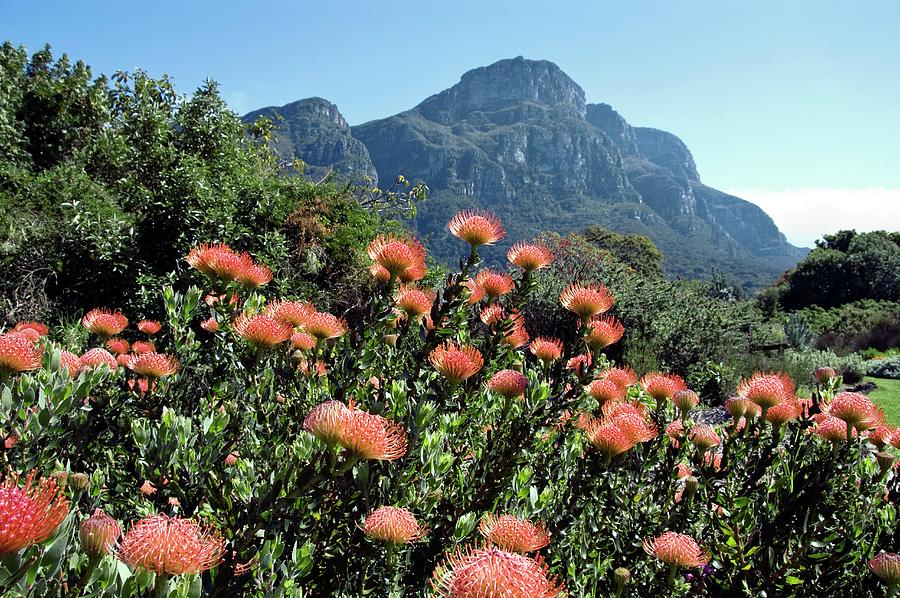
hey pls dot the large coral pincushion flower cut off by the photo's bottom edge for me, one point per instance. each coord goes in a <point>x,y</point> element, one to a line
<point>490,572</point>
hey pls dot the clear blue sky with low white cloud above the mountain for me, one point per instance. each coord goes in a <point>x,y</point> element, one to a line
<point>776,99</point>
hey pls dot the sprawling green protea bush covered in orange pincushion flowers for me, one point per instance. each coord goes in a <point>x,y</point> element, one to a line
<point>429,441</point>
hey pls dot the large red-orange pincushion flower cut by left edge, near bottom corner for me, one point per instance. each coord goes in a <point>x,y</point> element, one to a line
<point>30,514</point>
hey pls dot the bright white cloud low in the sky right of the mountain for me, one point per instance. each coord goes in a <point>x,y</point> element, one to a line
<point>805,214</point>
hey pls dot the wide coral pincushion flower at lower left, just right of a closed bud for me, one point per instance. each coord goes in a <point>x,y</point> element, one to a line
<point>171,546</point>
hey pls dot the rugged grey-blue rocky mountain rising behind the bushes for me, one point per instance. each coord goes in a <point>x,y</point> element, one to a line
<point>518,137</point>
